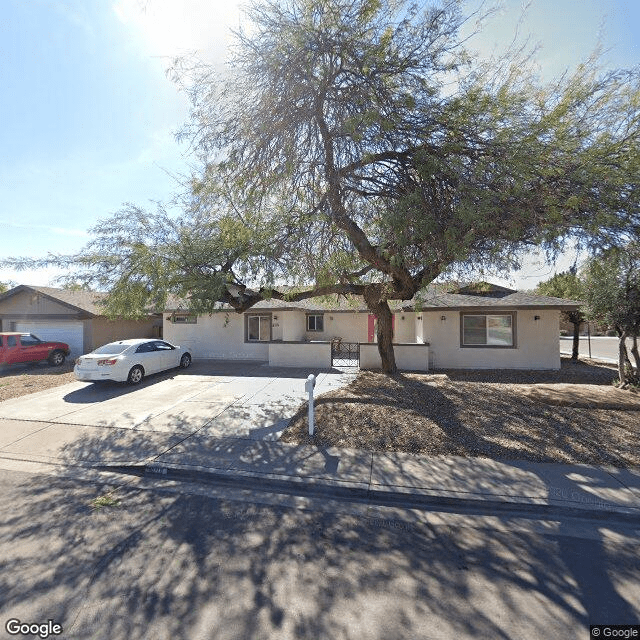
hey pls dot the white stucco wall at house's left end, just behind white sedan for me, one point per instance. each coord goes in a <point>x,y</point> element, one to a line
<point>220,335</point>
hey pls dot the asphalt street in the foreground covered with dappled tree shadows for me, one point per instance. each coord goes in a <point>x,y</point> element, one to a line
<point>115,557</point>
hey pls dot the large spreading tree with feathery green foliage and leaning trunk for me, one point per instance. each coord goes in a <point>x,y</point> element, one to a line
<point>356,147</point>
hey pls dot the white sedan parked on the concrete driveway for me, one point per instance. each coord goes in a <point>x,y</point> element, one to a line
<point>130,360</point>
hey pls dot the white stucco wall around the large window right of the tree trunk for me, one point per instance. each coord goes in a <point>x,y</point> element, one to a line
<point>537,343</point>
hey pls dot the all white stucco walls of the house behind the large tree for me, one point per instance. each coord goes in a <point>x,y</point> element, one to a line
<point>221,335</point>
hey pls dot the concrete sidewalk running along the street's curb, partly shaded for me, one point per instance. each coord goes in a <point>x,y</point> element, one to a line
<point>270,466</point>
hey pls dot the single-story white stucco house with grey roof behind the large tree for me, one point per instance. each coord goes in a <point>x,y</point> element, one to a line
<point>481,326</point>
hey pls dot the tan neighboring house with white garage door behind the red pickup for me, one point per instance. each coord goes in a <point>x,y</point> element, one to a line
<point>74,317</point>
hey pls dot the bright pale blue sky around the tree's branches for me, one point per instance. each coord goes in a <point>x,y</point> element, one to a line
<point>89,116</point>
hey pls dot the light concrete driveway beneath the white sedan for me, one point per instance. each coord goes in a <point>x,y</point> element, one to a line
<point>112,422</point>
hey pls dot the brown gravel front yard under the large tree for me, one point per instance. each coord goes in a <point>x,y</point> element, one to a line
<point>476,413</point>
